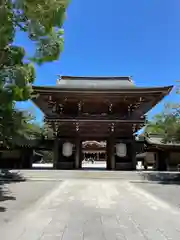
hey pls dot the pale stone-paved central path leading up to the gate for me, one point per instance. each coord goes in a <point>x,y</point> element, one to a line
<point>88,209</point>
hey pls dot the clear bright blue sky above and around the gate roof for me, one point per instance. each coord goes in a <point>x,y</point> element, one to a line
<point>118,37</point>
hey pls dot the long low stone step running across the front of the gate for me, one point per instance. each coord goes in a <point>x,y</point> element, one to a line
<point>57,175</point>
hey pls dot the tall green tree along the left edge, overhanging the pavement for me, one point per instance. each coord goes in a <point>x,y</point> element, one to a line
<point>42,21</point>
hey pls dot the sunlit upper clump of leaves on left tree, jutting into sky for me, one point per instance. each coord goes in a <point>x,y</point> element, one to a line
<point>42,20</point>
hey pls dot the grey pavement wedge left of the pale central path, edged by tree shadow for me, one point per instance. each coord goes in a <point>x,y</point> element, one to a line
<point>15,197</point>
